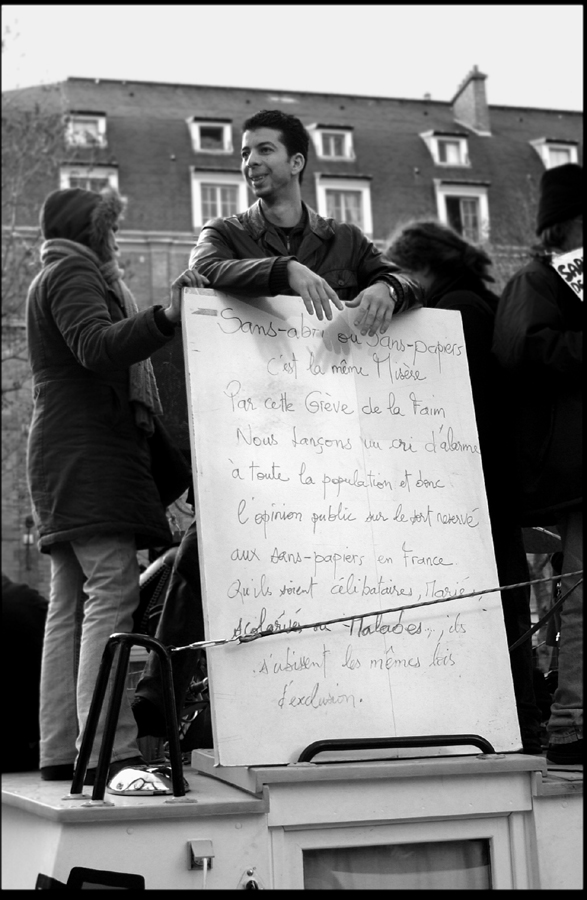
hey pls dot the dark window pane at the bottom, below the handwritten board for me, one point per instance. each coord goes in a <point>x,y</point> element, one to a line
<point>439,865</point>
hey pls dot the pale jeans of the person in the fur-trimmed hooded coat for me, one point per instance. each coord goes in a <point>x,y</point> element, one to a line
<point>94,592</point>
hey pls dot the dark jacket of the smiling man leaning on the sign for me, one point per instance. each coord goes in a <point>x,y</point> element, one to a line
<point>238,254</point>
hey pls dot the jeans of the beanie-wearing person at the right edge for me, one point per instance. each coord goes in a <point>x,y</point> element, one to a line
<point>566,712</point>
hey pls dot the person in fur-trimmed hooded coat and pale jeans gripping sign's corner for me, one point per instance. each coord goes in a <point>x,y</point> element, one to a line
<point>94,497</point>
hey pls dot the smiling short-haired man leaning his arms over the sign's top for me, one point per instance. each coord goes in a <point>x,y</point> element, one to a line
<point>281,246</point>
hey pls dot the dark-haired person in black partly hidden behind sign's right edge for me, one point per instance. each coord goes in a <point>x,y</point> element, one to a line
<point>453,274</point>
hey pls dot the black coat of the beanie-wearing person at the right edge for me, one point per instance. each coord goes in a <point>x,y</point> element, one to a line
<point>539,339</point>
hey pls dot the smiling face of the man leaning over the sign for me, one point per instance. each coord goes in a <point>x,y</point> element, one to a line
<point>265,163</point>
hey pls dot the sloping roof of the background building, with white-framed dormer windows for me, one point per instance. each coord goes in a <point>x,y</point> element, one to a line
<point>149,139</point>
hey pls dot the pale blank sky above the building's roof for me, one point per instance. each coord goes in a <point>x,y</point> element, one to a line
<point>532,54</point>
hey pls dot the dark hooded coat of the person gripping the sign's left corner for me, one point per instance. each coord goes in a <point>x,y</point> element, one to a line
<point>89,465</point>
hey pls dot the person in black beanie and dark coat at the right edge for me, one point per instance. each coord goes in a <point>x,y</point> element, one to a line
<point>538,337</point>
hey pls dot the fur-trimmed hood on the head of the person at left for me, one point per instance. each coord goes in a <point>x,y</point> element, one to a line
<point>82,216</point>
